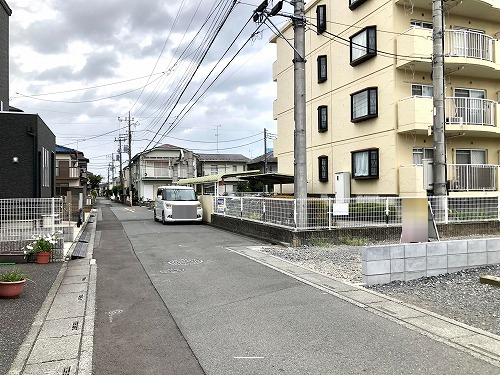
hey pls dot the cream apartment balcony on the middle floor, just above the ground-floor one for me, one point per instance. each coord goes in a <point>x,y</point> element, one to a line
<point>466,116</point>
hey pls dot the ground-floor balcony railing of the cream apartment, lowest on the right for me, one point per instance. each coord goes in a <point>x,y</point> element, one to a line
<point>472,177</point>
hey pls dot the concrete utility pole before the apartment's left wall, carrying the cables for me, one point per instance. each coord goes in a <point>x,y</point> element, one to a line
<point>300,166</point>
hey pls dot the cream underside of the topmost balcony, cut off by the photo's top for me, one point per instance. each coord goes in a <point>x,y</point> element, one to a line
<point>480,9</point>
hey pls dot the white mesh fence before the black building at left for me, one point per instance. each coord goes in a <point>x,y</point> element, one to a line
<point>24,218</point>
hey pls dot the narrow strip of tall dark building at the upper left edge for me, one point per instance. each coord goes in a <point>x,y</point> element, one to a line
<point>5,13</point>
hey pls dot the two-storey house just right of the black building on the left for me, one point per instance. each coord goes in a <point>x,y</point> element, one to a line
<point>71,172</point>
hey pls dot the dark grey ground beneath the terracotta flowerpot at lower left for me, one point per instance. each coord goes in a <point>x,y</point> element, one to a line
<point>17,315</point>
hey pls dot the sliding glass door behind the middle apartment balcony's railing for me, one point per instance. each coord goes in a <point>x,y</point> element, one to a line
<point>471,106</point>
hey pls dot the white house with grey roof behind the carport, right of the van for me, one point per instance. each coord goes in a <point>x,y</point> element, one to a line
<point>213,164</point>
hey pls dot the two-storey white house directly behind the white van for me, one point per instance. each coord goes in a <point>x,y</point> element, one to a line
<point>161,165</point>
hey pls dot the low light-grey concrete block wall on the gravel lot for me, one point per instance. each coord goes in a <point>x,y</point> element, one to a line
<point>385,263</point>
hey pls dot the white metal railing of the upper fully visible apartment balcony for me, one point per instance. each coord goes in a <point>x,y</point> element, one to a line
<point>468,44</point>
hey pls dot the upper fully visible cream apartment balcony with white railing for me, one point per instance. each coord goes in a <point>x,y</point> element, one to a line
<point>467,53</point>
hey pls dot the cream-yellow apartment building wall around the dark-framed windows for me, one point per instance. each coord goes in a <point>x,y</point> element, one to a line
<point>384,132</point>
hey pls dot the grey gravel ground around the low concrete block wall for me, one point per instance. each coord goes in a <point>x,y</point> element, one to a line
<point>459,296</point>
